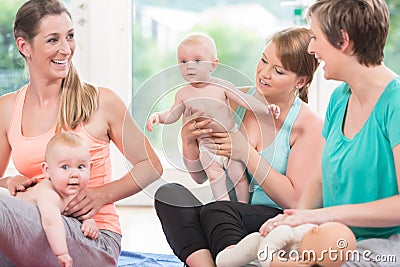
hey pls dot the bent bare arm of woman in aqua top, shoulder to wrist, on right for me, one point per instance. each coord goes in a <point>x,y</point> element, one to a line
<point>304,156</point>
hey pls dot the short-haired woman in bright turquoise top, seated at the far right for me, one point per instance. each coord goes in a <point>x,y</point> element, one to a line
<point>359,181</point>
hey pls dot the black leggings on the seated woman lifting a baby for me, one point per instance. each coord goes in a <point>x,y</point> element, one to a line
<point>190,226</point>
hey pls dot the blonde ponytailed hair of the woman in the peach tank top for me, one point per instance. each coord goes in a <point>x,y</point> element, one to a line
<point>79,100</point>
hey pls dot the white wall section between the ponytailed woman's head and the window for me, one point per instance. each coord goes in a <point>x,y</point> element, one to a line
<point>104,43</point>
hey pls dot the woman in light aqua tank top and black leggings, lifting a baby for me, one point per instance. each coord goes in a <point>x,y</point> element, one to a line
<point>279,163</point>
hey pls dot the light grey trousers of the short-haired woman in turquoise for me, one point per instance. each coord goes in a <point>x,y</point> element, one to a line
<point>377,252</point>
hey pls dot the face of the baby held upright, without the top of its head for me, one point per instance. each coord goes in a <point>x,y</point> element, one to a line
<point>195,62</point>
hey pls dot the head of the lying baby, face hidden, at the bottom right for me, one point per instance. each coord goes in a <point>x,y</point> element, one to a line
<point>329,245</point>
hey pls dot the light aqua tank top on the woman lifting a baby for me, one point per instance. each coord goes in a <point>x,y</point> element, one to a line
<point>276,154</point>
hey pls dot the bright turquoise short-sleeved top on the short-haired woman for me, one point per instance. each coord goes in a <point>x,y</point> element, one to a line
<point>362,169</point>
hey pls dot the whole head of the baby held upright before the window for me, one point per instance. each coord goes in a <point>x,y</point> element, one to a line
<point>197,56</point>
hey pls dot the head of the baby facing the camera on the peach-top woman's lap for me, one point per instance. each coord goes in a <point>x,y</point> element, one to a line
<point>67,163</point>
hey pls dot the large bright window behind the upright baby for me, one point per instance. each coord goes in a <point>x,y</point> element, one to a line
<point>239,29</point>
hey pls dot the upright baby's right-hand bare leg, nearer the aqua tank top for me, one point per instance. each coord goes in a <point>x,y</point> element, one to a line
<point>237,174</point>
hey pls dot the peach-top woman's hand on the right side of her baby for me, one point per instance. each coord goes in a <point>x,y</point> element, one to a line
<point>86,204</point>
